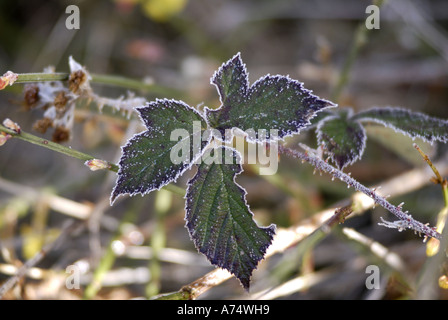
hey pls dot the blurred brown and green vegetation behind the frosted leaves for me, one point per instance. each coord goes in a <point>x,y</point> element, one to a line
<point>175,46</point>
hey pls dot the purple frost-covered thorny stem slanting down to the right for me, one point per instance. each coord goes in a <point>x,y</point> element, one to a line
<point>407,222</point>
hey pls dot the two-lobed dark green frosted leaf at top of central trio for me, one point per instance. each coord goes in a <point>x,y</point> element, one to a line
<point>272,102</point>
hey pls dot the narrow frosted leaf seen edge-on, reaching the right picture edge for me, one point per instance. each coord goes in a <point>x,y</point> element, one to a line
<point>413,124</point>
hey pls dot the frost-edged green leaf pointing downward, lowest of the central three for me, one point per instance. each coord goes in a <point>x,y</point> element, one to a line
<point>219,220</point>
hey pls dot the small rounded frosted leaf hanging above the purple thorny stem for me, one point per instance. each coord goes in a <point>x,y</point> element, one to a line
<point>343,138</point>
